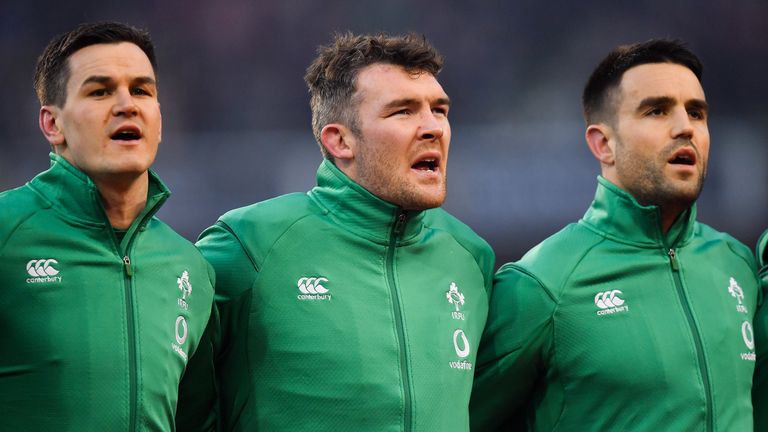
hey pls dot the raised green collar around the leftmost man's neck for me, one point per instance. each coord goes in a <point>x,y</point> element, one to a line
<point>73,194</point>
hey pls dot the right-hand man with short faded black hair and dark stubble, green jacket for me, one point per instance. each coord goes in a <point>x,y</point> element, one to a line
<point>637,317</point>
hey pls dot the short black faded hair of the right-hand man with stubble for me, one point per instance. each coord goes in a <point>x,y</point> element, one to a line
<point>606,78</point>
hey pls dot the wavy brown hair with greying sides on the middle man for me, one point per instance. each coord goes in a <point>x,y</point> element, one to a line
<point>332,75</point>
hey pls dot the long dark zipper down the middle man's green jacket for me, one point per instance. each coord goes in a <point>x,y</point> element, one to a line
<point>397,229</point>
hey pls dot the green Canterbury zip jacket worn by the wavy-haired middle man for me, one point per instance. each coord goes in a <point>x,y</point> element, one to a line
<point>342,312</point>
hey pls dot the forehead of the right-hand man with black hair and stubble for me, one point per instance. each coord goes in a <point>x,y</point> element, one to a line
<point>660,80</point>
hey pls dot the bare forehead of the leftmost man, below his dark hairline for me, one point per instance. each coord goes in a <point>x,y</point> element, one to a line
<point>115,60</point>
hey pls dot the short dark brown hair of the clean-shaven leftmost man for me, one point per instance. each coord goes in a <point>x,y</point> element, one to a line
<point>52,70</point>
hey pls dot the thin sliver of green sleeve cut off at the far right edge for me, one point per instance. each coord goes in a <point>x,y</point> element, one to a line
<point>760,384</point>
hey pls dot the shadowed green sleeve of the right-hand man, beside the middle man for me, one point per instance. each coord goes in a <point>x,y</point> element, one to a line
<point>512,350</point>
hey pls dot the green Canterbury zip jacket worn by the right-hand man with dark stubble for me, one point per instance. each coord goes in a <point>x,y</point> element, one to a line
<point>610,325</point>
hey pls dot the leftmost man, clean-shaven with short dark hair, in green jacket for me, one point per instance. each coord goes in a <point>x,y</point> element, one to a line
<point>102,304</point>
